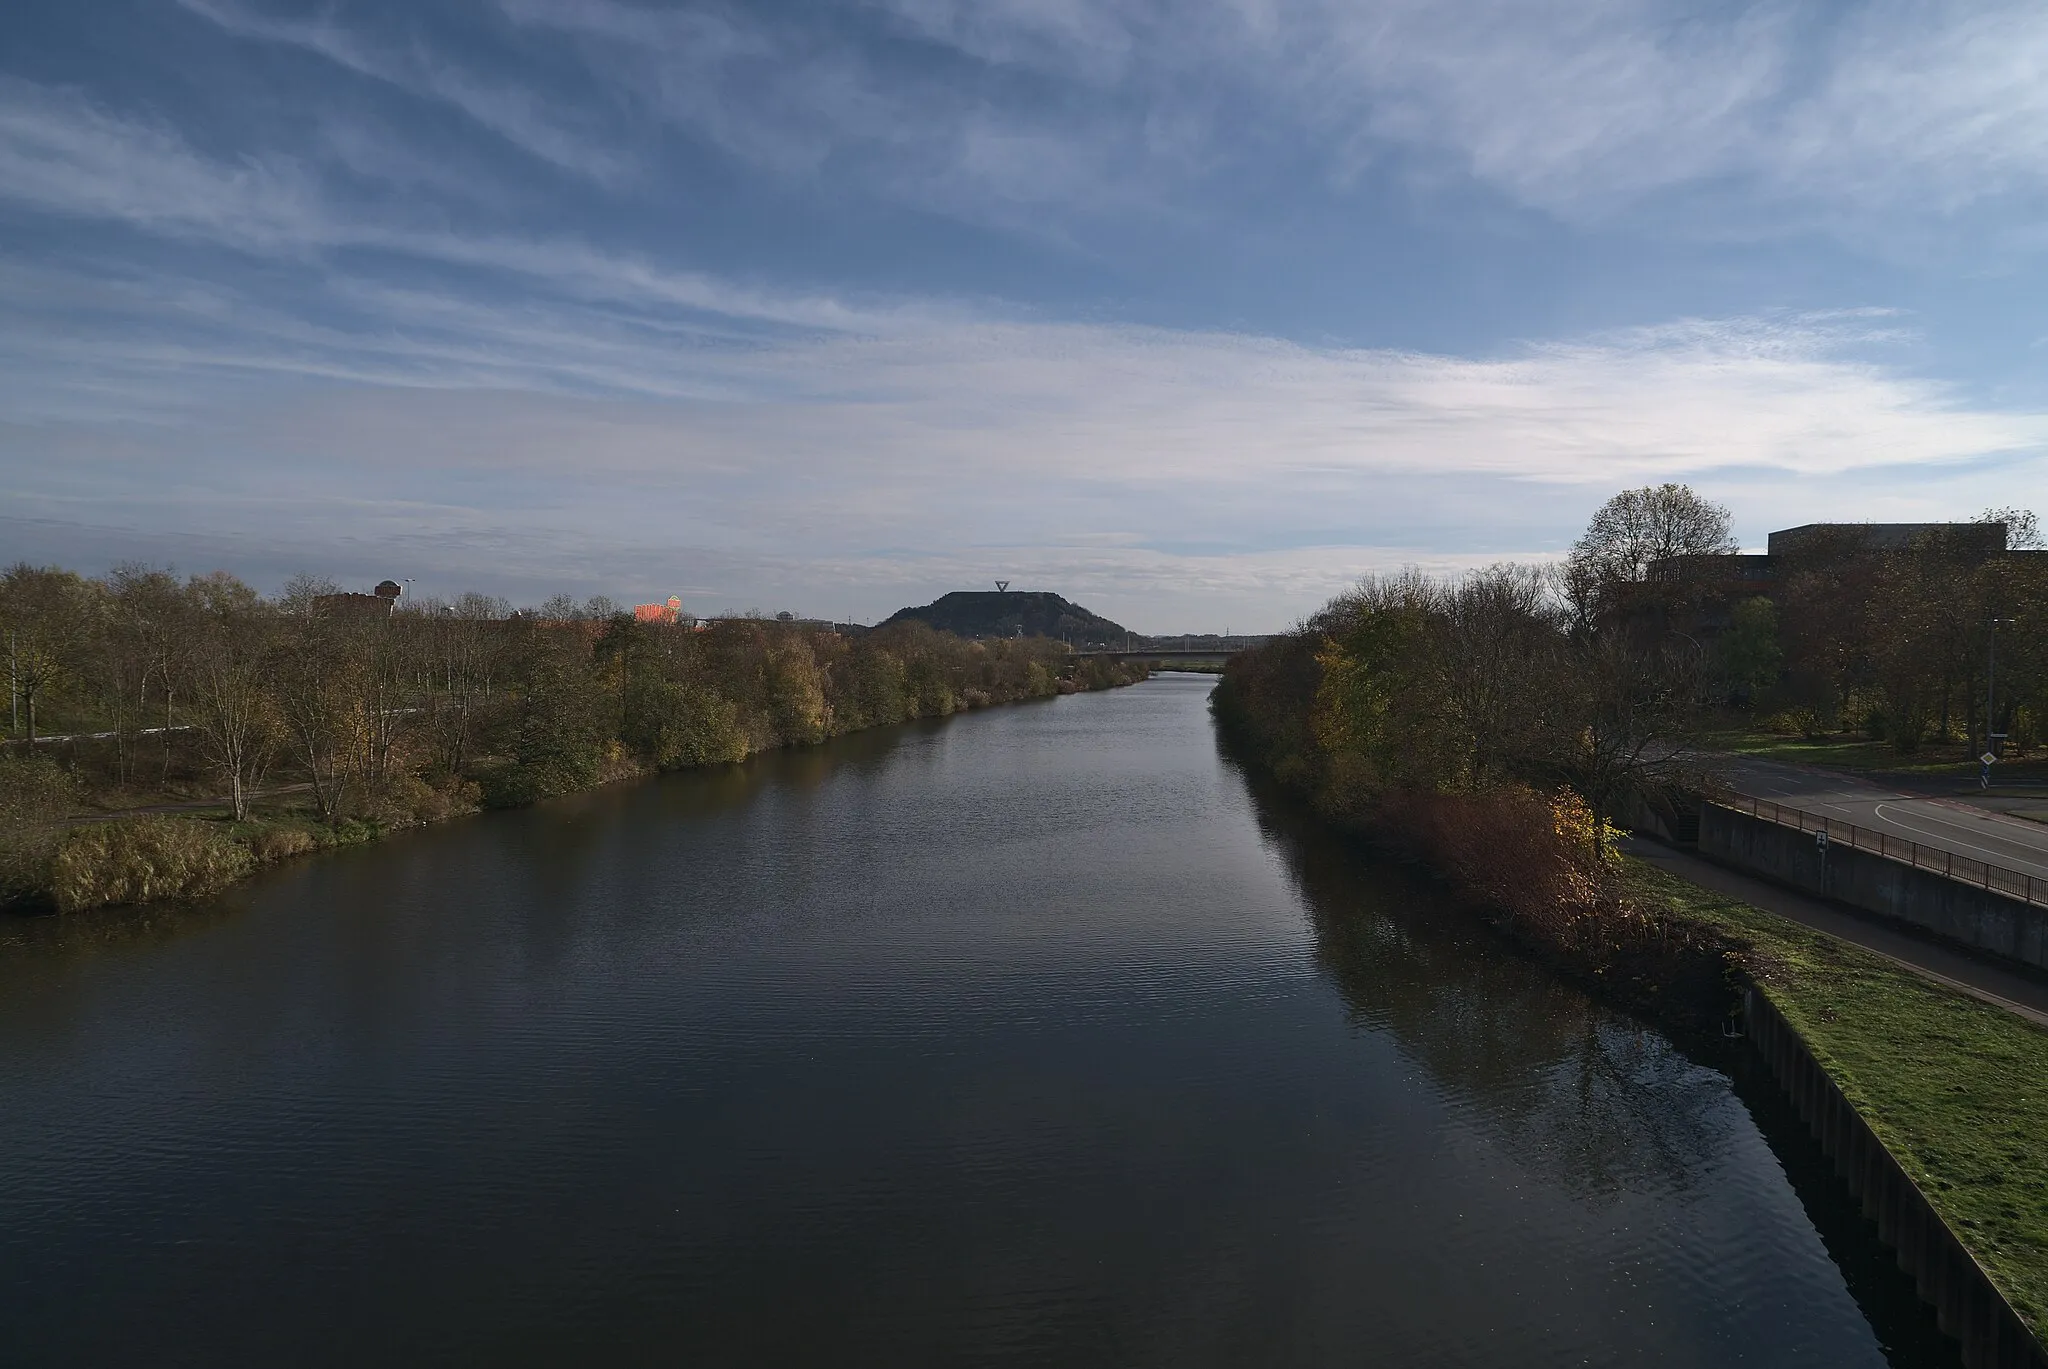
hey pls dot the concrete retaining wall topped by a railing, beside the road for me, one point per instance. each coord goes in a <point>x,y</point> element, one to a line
<point>1951,909</point>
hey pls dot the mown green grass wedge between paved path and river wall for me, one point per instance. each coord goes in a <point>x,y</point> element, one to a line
<point>1955,1087</point>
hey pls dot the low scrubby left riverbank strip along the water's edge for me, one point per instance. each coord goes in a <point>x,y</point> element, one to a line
<point>161,858</point>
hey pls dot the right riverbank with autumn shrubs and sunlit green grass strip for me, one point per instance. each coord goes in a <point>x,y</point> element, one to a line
<point>1951,1087</point>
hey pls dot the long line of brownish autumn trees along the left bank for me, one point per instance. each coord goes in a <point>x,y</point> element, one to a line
<point>202,688</point>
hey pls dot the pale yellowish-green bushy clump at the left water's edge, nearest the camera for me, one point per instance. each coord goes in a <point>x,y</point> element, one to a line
<point>144,860</point>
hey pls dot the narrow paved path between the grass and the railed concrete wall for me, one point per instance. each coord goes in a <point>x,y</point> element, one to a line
<point>2014,991</point>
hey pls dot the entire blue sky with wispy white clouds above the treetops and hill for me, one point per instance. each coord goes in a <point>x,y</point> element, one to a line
<point>1191,310</point>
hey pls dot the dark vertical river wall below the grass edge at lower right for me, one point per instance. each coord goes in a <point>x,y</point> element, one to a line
<point>1965,1300</point>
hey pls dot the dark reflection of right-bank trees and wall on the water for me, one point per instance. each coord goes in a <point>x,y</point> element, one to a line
<point>1596,1102</point>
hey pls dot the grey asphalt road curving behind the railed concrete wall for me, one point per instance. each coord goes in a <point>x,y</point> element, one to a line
<point>1945,825</point>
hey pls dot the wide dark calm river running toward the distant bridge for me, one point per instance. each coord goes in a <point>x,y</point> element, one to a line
<point>1035,1036</point>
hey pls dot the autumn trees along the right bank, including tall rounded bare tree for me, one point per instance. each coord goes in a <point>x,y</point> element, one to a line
<point>1498,722</point>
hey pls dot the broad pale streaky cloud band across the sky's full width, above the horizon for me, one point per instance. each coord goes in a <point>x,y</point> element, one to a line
<point>812,421</point>
